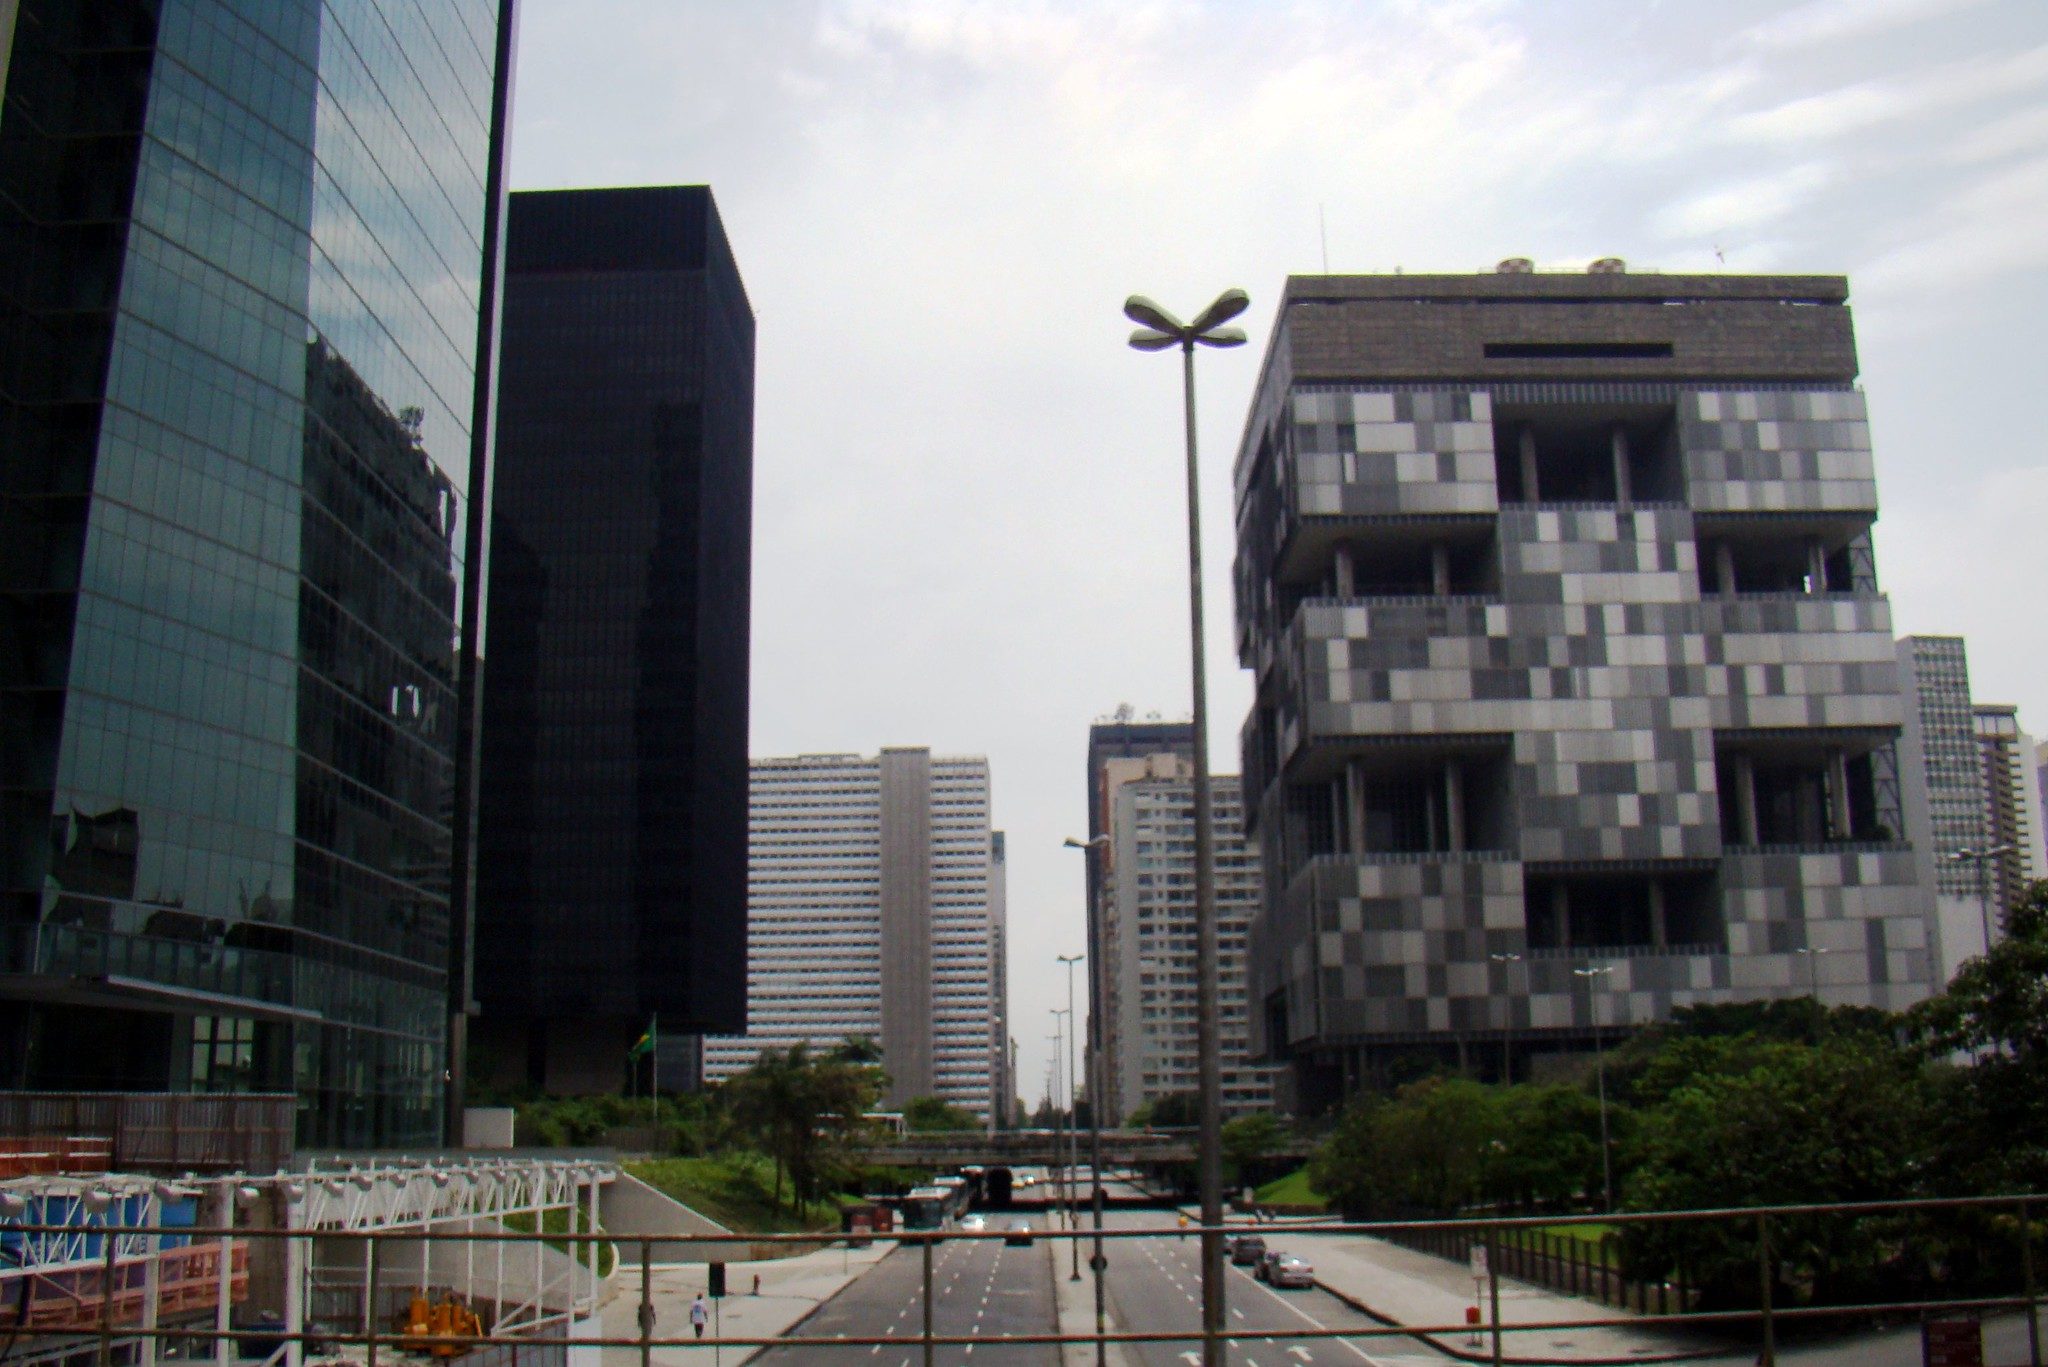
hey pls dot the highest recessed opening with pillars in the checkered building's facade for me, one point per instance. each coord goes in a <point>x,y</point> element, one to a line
<point>1601,454</point>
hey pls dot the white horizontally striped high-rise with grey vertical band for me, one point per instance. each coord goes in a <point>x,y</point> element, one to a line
<point>873,903</point>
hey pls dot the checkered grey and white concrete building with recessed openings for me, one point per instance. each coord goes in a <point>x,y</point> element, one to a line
<point>1576,692</point>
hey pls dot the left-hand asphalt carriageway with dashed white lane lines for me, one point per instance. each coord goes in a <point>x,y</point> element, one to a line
<point>978,1288</point>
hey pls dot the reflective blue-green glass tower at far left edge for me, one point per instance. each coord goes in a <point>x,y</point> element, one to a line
<point>245,253</point>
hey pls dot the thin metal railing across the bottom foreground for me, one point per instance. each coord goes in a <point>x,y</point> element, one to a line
<point>1738,1327</point>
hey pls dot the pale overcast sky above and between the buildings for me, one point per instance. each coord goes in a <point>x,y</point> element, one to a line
<point>970,526</point>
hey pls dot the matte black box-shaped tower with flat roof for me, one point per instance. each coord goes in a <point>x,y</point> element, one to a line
<point>613,843</point>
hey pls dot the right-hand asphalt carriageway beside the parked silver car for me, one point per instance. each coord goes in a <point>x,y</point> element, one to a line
<point>1156,1284</point>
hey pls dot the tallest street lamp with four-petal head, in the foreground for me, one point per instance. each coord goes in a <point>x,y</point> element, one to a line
<point>1158,331</point>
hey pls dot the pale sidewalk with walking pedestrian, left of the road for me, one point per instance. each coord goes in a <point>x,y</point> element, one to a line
<point>790,1290</point>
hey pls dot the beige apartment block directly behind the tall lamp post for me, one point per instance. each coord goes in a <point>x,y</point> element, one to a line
<point>1150,940</point>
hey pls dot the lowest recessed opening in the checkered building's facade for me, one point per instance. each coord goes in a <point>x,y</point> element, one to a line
<point>1660,911</point>
